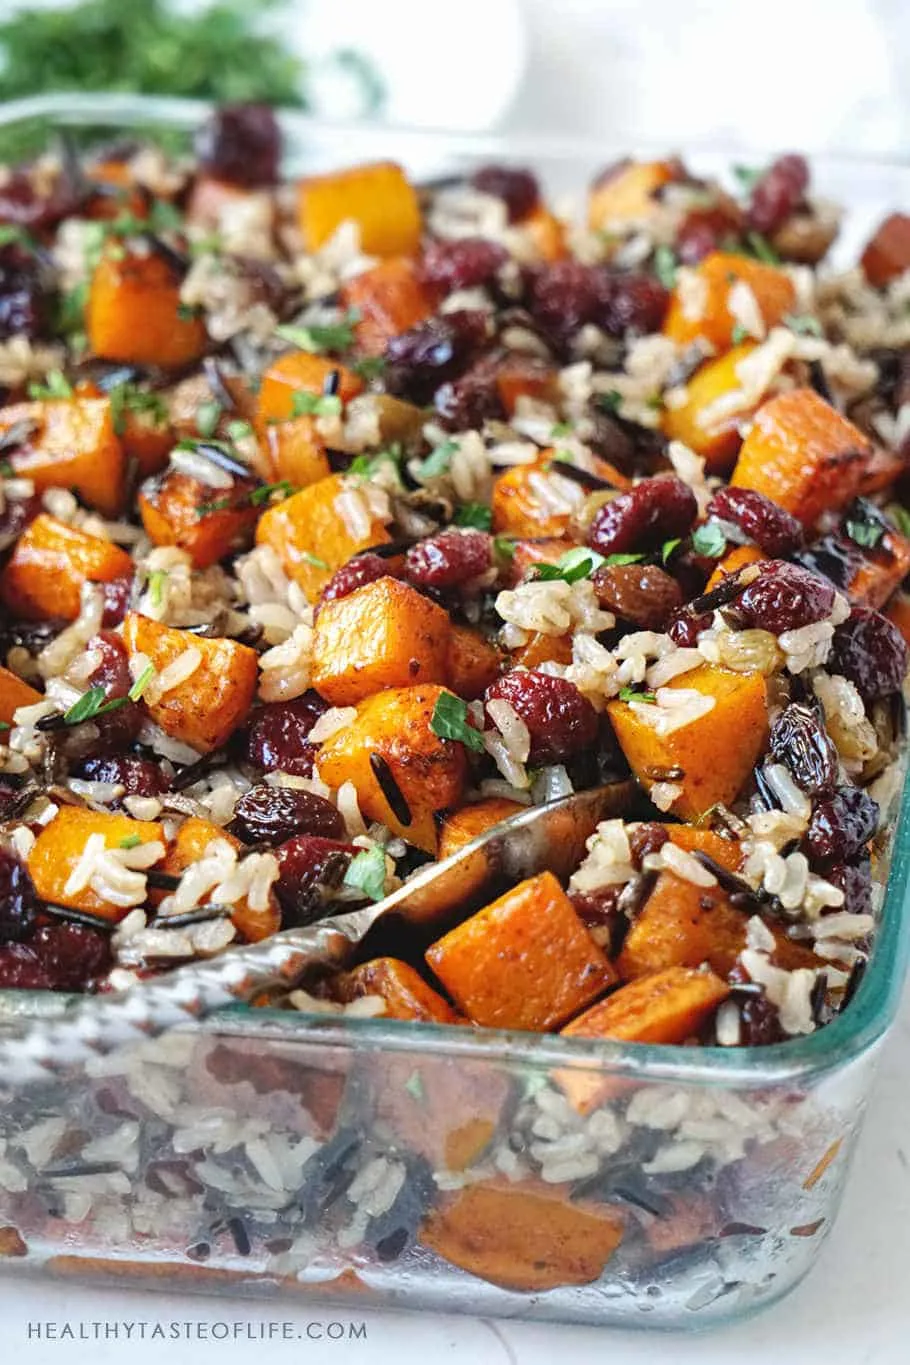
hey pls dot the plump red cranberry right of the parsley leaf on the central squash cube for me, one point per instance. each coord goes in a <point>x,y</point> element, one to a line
<point>560,719</point>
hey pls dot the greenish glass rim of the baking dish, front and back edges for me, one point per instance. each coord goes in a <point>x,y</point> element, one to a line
<point>804,1059</point>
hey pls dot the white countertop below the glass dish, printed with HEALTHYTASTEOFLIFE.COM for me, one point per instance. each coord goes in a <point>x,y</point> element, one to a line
<point>855,1308</point>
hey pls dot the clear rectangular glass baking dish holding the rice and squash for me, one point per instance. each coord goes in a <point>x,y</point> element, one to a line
<point>415,1166</point>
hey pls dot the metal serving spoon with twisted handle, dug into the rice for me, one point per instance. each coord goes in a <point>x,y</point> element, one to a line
<point>545,837</point>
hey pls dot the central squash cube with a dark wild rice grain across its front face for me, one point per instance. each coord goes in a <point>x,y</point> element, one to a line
<point>428,772</point>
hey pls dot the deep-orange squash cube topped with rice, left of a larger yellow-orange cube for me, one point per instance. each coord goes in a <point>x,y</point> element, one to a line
<point>204,522</point>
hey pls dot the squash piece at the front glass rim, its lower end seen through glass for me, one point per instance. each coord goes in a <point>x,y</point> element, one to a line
<point>664,1008</point>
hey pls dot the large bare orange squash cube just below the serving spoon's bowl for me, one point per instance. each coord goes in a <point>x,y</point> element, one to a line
<point>525,962</point>
